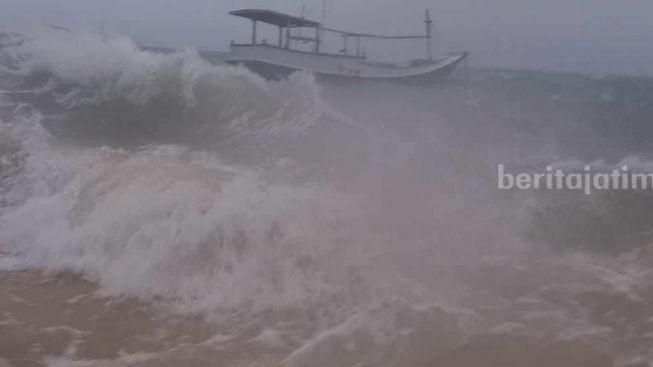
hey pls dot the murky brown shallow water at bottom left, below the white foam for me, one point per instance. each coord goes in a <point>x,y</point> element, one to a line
<point>59,320</point>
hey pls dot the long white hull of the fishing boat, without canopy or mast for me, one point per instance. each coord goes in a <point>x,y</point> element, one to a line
<point>277,63</point>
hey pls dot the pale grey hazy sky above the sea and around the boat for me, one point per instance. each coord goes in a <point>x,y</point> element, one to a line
<point>587,35</point>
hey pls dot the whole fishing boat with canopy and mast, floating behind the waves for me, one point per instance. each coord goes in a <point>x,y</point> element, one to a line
<point>290,54</point>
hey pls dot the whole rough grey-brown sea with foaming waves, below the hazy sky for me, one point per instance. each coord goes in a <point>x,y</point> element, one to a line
<point>159,210</point>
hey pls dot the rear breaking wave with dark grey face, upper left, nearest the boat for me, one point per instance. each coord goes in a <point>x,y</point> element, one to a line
<point>107,89</point>
